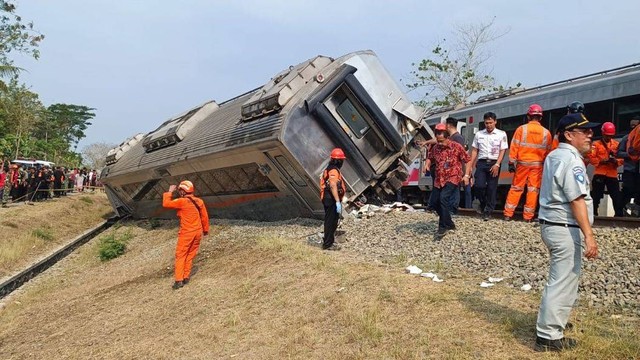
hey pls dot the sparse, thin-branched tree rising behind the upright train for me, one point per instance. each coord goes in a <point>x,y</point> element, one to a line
<point>457,71</point>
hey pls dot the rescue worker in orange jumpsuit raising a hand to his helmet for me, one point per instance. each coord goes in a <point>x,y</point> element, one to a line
<point>194,223</point>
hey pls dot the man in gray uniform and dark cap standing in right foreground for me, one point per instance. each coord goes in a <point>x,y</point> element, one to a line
<point>566,215</point>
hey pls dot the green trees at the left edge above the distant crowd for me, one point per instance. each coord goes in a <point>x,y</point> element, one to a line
<point>28,128</point>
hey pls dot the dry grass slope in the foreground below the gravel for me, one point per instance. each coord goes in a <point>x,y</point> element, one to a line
<point>261,292</point>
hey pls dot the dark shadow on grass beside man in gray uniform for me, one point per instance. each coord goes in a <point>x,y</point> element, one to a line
<point>522,325</point>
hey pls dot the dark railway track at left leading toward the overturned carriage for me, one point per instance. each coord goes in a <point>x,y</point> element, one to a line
<point>14,282</point>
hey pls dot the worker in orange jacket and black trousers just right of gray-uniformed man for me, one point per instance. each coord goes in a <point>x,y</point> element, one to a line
<point>603,158</point>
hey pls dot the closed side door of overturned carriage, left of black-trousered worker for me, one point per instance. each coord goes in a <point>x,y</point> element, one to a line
<point>299,185</point>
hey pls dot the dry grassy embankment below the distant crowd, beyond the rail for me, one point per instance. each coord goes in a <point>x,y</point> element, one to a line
<point>30,232</point>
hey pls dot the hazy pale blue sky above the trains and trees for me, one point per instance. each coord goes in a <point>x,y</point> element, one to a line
<point>141,62</point>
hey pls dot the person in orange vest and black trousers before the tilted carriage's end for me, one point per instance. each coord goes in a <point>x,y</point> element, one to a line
<point>332,190</point>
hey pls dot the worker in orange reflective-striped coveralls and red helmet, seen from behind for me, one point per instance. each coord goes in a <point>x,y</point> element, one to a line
<point>530,145</point>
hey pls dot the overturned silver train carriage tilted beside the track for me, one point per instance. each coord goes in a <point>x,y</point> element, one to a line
<point>260,155</point>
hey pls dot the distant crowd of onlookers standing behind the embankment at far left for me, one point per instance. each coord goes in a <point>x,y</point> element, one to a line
<point>39,183</point>
